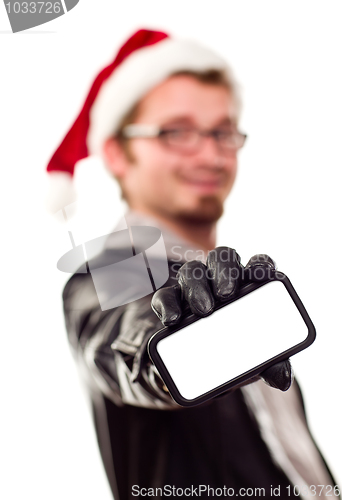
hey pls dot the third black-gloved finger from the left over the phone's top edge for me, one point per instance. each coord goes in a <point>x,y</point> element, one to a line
<point>225,270</point>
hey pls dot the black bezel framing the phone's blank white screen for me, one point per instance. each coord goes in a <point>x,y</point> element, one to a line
<point>254,372</point>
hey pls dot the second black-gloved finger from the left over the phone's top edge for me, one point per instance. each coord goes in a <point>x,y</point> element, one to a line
<point>192,278</point>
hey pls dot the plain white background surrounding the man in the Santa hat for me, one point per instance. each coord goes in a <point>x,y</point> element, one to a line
<point>286,202</point>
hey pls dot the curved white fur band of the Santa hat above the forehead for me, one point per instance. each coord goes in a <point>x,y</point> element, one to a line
<point>139,73</point>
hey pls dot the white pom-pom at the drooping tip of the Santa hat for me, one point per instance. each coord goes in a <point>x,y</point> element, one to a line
<point>61,191</point>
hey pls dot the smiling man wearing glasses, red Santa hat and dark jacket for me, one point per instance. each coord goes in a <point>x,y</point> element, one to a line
<point>164,116</point>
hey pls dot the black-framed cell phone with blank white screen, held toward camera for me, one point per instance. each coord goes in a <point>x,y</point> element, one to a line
<point>201,358</point>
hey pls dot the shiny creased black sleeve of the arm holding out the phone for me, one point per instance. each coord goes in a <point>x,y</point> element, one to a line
<point>110,347</point>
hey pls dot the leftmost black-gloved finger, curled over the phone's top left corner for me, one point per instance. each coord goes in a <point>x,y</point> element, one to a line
<point>166,303</point>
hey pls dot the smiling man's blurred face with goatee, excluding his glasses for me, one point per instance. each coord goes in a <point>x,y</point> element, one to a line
<point>167,181</point>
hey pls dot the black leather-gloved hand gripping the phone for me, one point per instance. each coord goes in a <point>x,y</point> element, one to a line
<point>200,286</point>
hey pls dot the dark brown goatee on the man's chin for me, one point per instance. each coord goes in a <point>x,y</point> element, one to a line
<point>208,210</point>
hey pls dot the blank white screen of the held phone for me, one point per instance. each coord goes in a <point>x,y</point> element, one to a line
<point>233,340</point>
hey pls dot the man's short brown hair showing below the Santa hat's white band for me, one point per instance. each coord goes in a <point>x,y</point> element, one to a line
<point>209,77</point>
